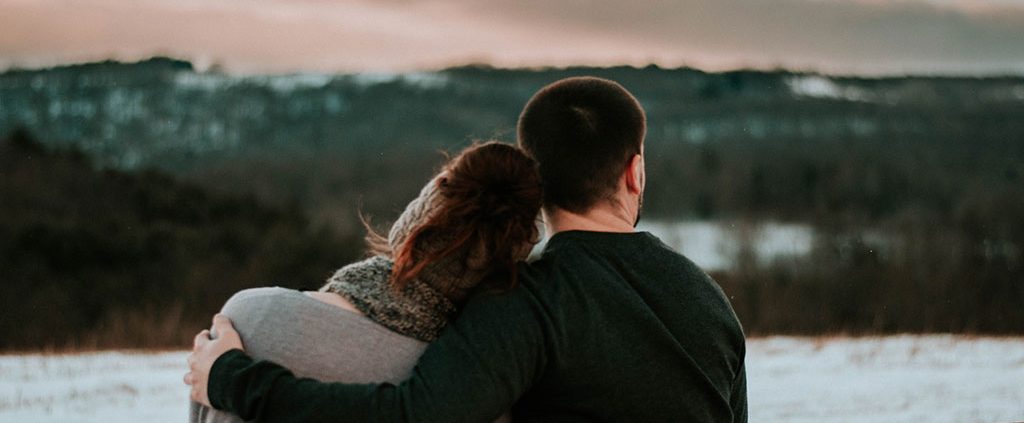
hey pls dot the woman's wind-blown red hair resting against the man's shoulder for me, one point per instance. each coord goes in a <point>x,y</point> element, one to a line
<point>490,200</point>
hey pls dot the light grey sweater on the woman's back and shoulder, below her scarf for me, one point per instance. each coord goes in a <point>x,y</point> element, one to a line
<point>315,340</point>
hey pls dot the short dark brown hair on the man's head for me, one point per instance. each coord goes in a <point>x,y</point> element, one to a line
<point>582,132</point>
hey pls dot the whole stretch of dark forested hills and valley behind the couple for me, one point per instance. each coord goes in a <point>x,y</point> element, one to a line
<point>235,182</point>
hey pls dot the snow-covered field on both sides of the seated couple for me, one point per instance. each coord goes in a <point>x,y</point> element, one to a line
<point>889,379</point>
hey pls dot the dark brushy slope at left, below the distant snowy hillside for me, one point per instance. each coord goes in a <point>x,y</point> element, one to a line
<point>105,259</point>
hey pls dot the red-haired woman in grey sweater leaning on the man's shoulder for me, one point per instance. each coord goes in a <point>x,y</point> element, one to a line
<point>465,232</point>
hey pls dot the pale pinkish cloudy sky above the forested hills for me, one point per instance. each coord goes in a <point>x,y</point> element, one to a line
<point>847,37</point>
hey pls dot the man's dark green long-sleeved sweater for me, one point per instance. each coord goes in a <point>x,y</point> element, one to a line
<point>605,327</point>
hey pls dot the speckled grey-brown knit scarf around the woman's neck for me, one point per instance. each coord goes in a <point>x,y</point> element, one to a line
<point>417,311</point>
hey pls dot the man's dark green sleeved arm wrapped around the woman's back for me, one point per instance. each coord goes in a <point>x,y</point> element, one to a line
<point>480,366</point>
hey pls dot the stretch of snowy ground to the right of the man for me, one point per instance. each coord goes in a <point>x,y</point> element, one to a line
<point>891,379</point>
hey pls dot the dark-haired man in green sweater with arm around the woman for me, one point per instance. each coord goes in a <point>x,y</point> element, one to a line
<point>609,325</point>
